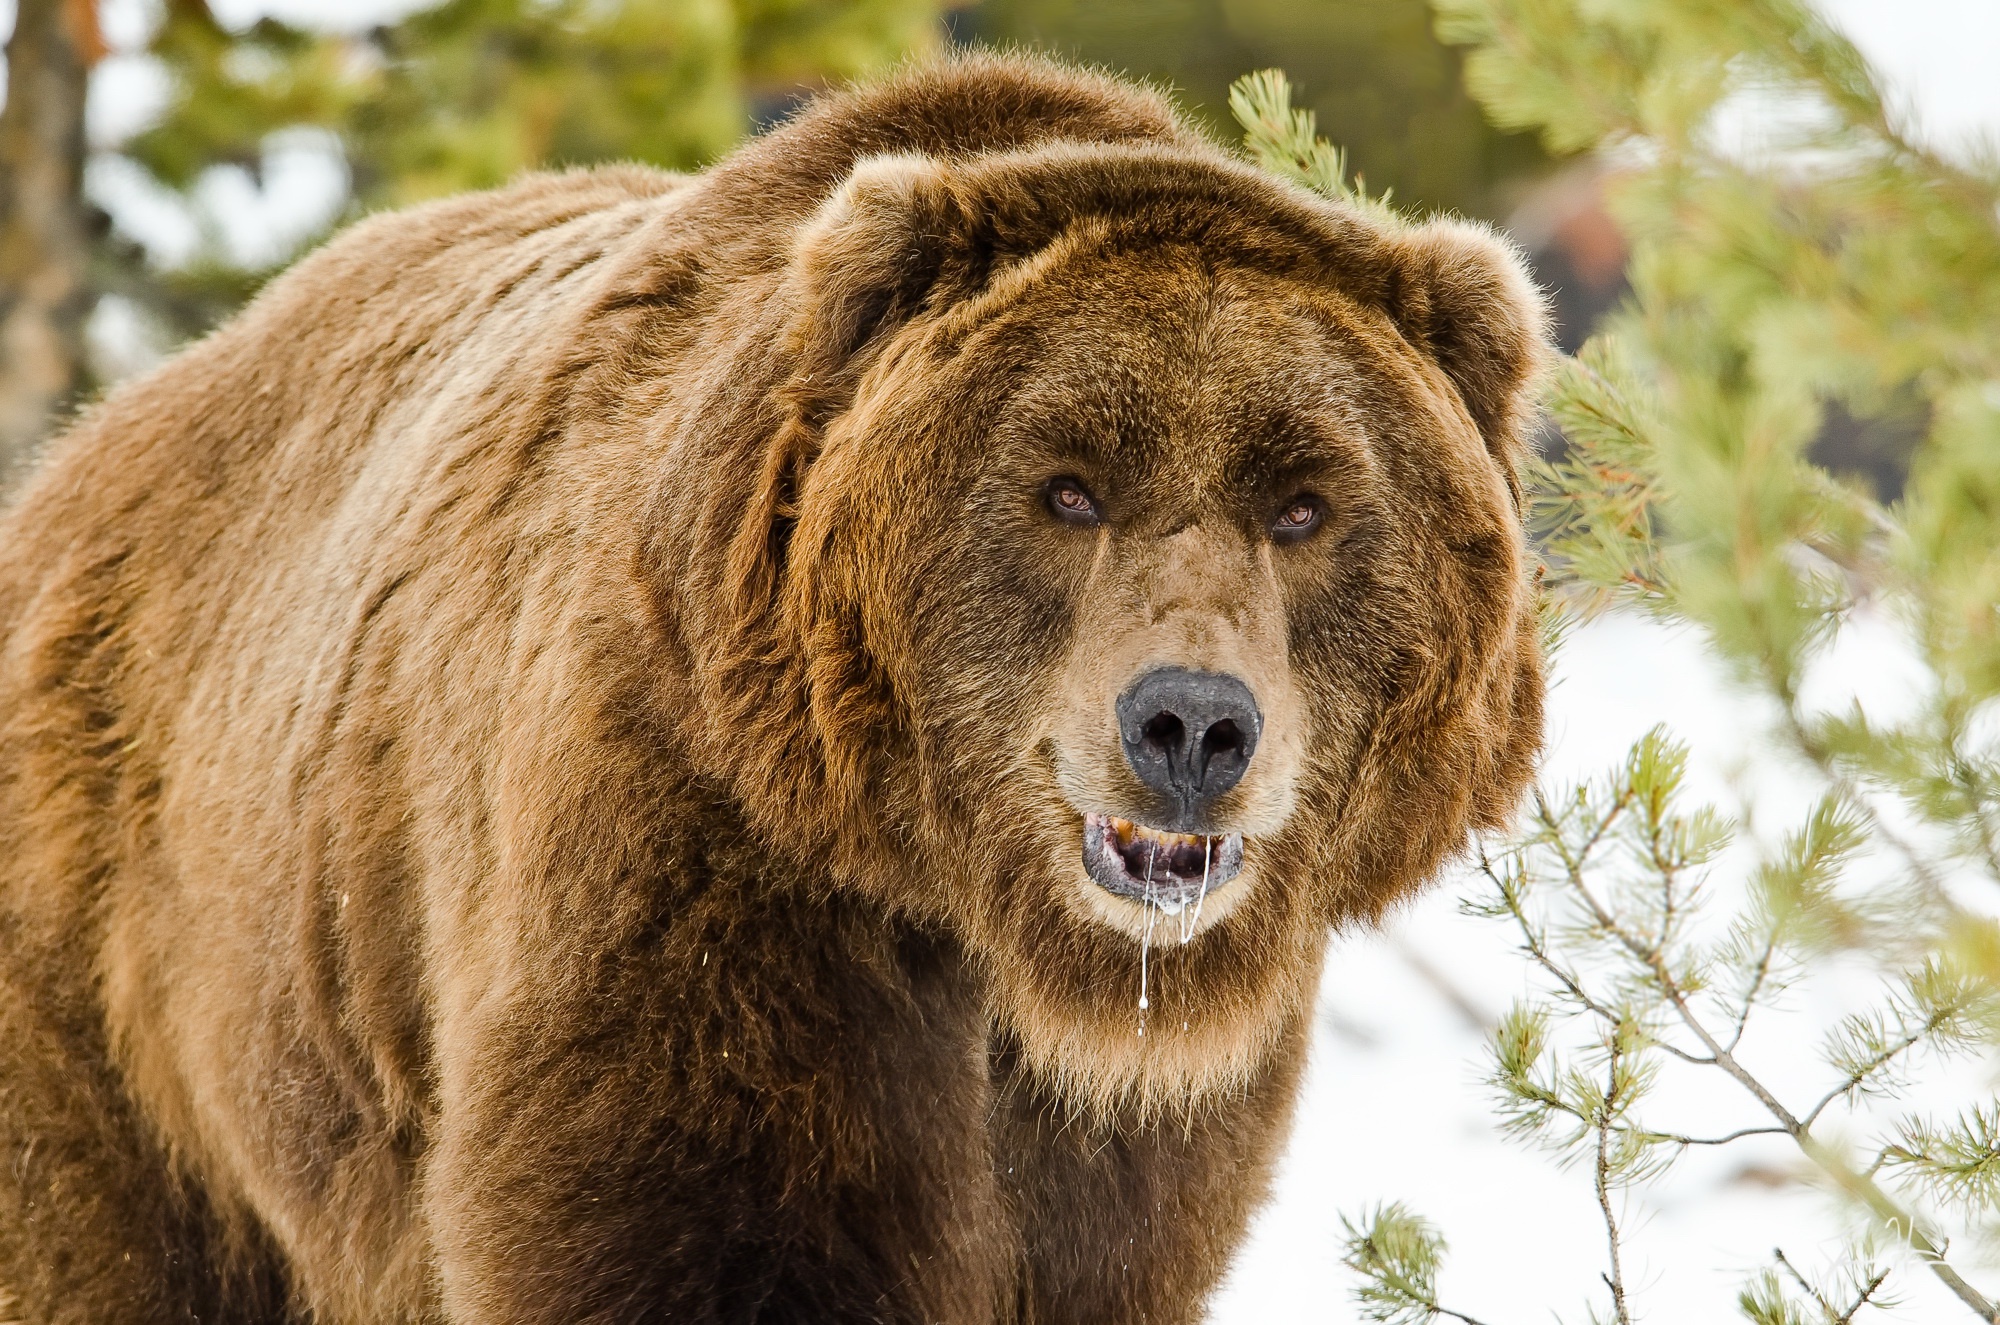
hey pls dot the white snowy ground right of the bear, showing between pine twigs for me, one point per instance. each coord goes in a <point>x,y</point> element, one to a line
<point>1395,1108</point>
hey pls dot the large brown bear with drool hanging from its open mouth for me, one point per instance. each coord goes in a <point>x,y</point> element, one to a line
<point>773,746</point>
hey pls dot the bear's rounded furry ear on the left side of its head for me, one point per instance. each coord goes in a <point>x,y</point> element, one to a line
<point>863,265</point>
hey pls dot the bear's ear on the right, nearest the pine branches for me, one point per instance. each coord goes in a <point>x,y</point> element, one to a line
<point>1465,297</point>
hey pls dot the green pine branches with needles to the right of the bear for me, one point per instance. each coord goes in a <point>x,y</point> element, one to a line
<point>1829,263</point>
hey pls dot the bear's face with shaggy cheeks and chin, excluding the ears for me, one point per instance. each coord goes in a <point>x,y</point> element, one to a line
<point>1191,609</point>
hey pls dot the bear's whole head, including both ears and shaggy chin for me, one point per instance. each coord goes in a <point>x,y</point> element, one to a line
<point>1133,571</point>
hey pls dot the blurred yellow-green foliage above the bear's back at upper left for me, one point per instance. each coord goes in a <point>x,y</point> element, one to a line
<point>471,93</point>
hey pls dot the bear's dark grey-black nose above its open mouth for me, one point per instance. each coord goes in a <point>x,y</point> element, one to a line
<point>1189,736</point>
